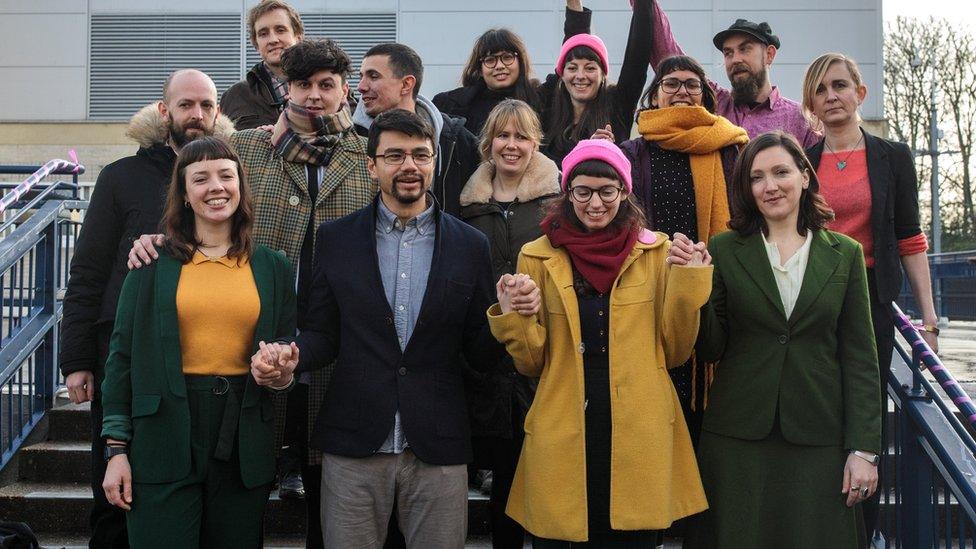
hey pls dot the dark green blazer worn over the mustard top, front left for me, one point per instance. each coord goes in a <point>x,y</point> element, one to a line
<point>144,392</point>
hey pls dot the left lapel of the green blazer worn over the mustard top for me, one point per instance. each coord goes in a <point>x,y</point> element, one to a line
<point>167,279</point>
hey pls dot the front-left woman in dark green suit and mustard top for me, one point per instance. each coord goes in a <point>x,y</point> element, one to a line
<point>189,431</point>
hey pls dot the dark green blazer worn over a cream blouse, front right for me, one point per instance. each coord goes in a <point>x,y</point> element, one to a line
<point>818,370</point>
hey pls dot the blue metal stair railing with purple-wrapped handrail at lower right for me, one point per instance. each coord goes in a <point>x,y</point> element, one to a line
<point>929,471</point>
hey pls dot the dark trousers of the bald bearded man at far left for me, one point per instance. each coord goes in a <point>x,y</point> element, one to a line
<point>106,521</point>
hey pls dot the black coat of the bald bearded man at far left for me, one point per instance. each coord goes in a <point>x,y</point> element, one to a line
<point>127,202</point>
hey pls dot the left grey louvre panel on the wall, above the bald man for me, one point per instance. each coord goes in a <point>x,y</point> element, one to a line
<point>132,54</point>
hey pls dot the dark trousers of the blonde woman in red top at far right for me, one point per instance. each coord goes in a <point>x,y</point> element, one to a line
<point>884,336</point>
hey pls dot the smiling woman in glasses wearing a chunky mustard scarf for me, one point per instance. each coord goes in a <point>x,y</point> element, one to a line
<point>681,164</point>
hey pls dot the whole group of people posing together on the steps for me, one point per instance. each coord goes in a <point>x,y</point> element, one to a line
<point>354,296</point>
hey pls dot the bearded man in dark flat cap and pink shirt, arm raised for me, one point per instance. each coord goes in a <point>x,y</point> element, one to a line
<point>753,102</point>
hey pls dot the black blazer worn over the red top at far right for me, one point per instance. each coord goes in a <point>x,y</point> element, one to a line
<point>894,206</point>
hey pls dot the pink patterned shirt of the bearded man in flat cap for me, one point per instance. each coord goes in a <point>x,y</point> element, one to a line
<point>775,113</point>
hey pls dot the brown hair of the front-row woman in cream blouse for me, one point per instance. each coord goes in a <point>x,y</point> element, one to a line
<point>746,218</point>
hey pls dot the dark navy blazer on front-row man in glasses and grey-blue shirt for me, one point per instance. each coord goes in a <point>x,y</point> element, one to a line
<point>350,322</point>
